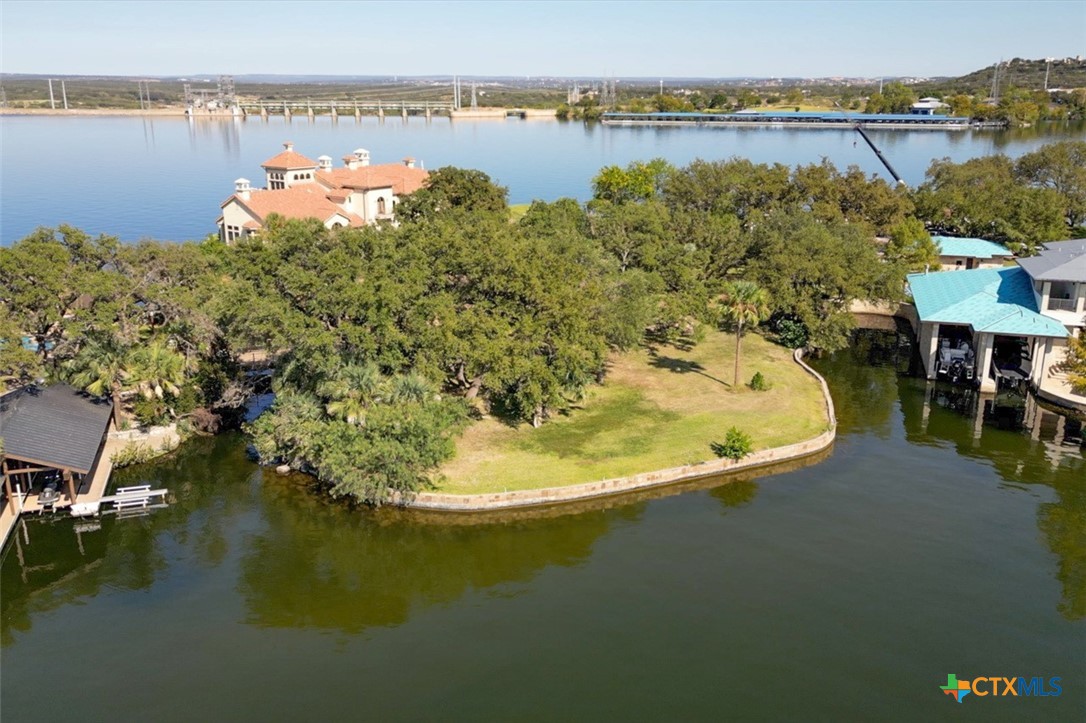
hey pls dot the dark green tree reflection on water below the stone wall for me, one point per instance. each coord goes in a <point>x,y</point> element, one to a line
<point>311,566</point>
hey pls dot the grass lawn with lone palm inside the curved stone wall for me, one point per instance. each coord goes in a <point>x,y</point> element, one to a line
<point>659,408</point>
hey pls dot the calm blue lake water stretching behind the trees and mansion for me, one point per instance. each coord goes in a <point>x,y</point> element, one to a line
<point>165,179</point>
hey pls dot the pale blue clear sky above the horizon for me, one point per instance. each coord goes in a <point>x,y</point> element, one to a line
<point>866,39</point>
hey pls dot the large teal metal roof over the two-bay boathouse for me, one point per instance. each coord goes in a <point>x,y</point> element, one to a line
<point>994,300</point>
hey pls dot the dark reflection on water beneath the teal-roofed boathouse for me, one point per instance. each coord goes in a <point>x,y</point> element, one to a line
<point>1025,441</point>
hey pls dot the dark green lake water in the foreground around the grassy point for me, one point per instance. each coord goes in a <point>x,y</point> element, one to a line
<point>926,544</point>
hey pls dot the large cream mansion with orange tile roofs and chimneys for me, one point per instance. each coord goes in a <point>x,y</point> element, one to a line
<point>356,195</point>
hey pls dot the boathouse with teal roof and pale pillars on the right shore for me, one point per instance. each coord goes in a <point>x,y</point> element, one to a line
<point>1008,323</point>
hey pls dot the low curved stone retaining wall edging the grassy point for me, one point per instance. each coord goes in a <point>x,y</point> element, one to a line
<point>437,501</point>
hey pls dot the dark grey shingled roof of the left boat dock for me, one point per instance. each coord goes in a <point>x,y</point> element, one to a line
<point>56,426</point>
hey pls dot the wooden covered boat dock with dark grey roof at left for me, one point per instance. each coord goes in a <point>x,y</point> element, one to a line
<point>54,451</point>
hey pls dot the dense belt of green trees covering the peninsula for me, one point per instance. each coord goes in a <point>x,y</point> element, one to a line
<point>390,341</point>
